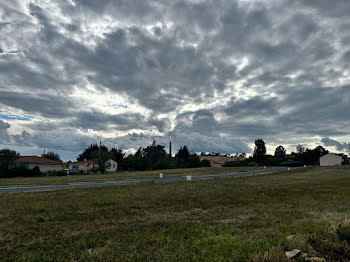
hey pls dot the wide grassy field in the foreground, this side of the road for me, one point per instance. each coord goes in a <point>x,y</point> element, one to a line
<point>253,218</point>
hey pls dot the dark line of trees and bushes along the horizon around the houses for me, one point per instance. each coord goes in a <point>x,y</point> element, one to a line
<point>154,157</point>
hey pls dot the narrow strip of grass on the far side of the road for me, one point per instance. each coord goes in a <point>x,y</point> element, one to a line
<point>118,176</point>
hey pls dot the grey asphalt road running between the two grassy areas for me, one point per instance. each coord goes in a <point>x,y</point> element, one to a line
<point>36,188</point>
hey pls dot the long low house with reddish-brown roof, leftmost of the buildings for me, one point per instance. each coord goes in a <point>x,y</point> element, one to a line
<point>44,164</point>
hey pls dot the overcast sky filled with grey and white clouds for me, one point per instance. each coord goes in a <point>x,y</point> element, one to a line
<point>214,74</point>
